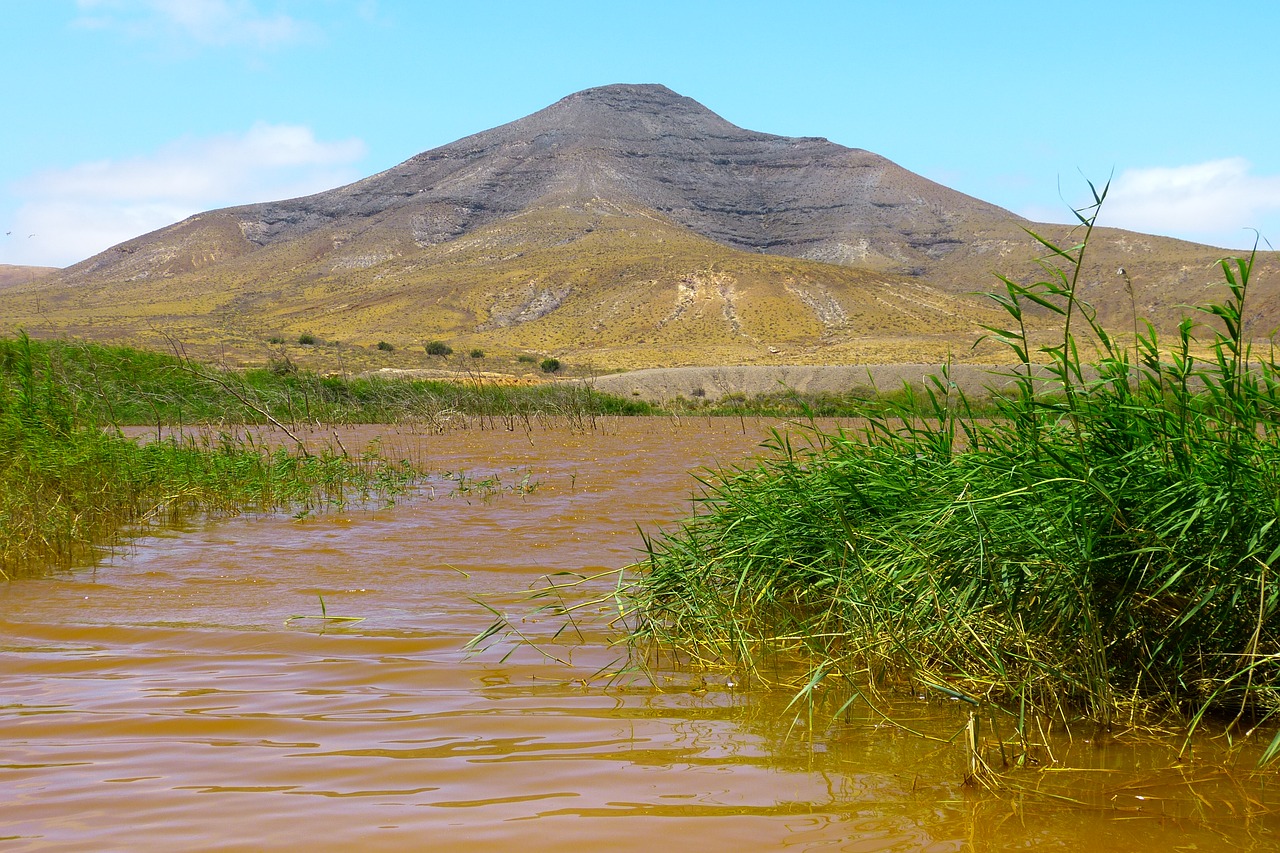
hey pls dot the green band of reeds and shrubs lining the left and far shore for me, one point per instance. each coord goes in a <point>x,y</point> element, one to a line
<point>71,482</point>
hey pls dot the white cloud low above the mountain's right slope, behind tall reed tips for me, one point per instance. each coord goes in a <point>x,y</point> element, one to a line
<point>1217,203</point>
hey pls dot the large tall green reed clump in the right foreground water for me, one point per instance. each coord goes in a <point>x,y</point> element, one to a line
<point>1105,545</point>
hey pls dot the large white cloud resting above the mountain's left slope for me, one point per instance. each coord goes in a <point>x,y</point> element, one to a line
<point>79,212</point>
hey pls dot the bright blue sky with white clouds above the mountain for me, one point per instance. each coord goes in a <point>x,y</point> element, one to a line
<point>125,116</point>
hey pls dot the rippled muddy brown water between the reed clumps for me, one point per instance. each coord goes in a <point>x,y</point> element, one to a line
<point>163,700</point>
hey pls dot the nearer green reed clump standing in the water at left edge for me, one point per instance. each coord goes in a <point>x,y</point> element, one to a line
<point>68,483</point>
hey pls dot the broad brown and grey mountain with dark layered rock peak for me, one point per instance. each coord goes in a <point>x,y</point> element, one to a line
<point>625,226</point>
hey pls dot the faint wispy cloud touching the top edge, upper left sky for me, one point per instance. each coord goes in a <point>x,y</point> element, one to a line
<point>207,22</point>
